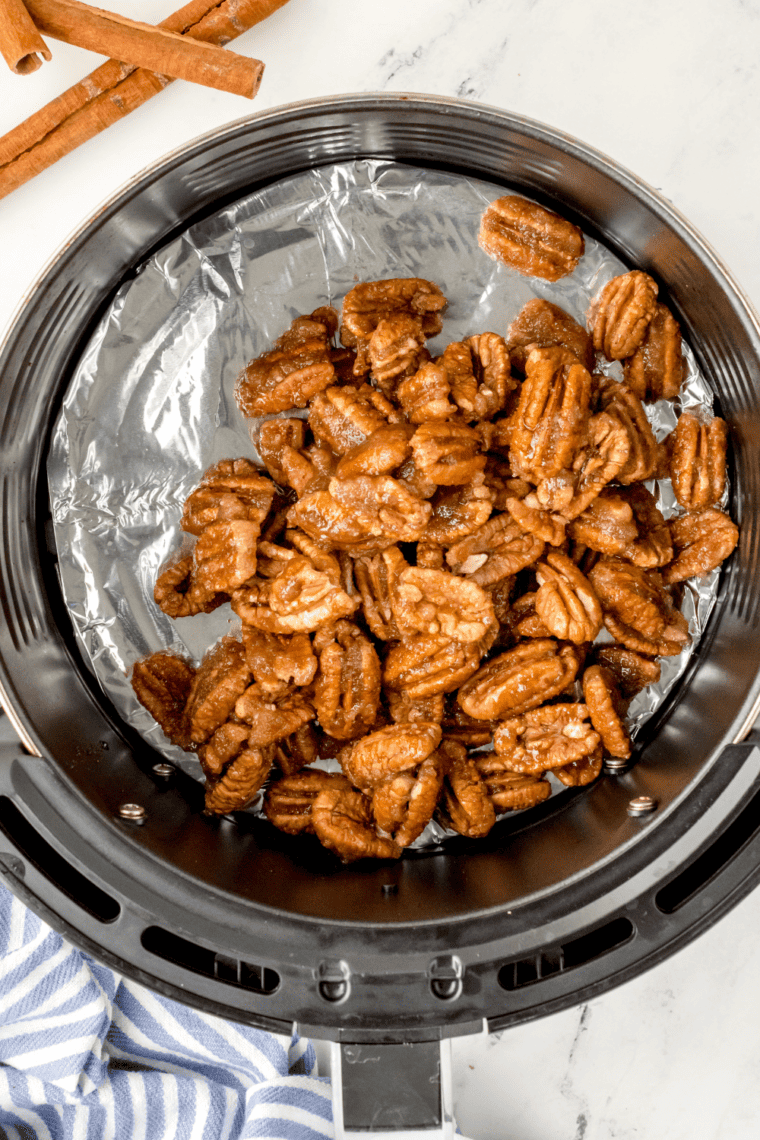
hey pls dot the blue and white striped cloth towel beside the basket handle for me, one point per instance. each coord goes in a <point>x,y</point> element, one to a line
<point>88,1055</point>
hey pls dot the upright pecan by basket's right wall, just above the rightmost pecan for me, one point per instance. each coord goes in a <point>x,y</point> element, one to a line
<point>698,461</point>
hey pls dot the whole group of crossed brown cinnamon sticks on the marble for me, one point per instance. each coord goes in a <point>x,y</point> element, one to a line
<point>145,60</point>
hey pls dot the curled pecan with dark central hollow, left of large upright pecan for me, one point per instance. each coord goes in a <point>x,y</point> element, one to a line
<point>479,376</point>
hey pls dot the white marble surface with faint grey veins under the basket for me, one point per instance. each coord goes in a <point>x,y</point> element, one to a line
<point>672,91</point>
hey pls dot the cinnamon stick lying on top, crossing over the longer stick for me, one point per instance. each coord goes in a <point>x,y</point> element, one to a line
<point>145,46</point>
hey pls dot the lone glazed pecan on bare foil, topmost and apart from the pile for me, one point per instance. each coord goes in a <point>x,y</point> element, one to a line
<point>530,239</point>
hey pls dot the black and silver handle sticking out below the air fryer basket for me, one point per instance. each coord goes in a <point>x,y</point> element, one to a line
<point>398,1092</point>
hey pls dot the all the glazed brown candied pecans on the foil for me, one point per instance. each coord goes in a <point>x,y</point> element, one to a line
<point>427,560</point>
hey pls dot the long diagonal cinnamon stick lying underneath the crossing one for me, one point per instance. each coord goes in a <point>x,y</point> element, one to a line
<point>113,91</point>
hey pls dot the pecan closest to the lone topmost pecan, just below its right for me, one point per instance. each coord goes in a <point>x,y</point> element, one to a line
<point>620,314</point>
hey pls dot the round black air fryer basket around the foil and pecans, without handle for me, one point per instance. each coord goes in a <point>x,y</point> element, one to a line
<point>233,917</point>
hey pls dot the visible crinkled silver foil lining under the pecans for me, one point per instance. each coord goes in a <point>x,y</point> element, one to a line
<point>152,402</point>
